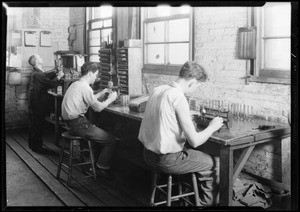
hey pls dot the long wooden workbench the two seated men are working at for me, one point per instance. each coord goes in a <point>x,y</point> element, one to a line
<point>240,137</point>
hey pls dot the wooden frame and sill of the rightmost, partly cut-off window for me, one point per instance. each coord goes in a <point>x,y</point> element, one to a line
<point>259,74</point>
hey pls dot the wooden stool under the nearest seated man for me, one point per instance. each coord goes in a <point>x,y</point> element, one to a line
<point>166,189</point>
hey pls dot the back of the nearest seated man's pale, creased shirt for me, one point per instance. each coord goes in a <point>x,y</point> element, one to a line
<point>160,130</point>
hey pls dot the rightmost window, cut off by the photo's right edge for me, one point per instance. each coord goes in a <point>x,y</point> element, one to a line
<point>273,61</point>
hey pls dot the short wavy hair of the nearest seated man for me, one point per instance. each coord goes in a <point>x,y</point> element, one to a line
<point>192,69</point>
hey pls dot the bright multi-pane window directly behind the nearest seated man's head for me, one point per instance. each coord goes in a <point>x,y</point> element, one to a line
<point>166,38</point>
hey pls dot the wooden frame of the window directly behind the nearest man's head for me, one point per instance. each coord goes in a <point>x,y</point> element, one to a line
<point>166,69</point>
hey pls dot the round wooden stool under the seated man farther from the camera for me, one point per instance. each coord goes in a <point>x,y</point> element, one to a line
<point>74,141</point>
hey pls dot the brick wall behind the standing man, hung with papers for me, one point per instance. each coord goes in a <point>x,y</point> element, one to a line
<point>55,20</point>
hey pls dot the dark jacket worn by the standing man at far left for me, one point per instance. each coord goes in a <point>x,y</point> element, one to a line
<point>39,84</point>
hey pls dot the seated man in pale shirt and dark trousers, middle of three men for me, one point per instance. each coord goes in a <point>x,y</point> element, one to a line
<point>77,99</point>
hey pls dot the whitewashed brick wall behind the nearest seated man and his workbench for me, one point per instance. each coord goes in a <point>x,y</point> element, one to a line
<point>216,50</point>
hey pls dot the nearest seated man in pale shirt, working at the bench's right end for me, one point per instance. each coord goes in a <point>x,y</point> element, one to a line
<point>170,138</point>
